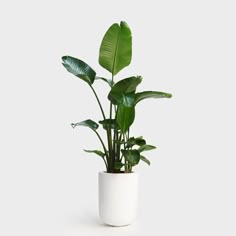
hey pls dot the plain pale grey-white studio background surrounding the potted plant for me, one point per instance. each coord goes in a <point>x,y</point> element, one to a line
<point>48,185</point>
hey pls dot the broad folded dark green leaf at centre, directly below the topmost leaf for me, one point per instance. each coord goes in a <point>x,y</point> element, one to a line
<point>123,91</point>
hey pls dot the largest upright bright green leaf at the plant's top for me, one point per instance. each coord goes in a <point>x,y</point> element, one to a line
<point>116,48</point>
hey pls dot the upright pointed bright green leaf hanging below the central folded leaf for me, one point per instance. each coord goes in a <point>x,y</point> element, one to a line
<point>125,117</point>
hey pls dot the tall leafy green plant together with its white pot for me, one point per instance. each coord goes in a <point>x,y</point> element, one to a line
<point>120,151</point>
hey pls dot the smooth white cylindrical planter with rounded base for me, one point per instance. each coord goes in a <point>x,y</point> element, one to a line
<point>118,195</point>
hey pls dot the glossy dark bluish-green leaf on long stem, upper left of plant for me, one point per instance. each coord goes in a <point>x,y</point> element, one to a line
<point>79,68</point>
